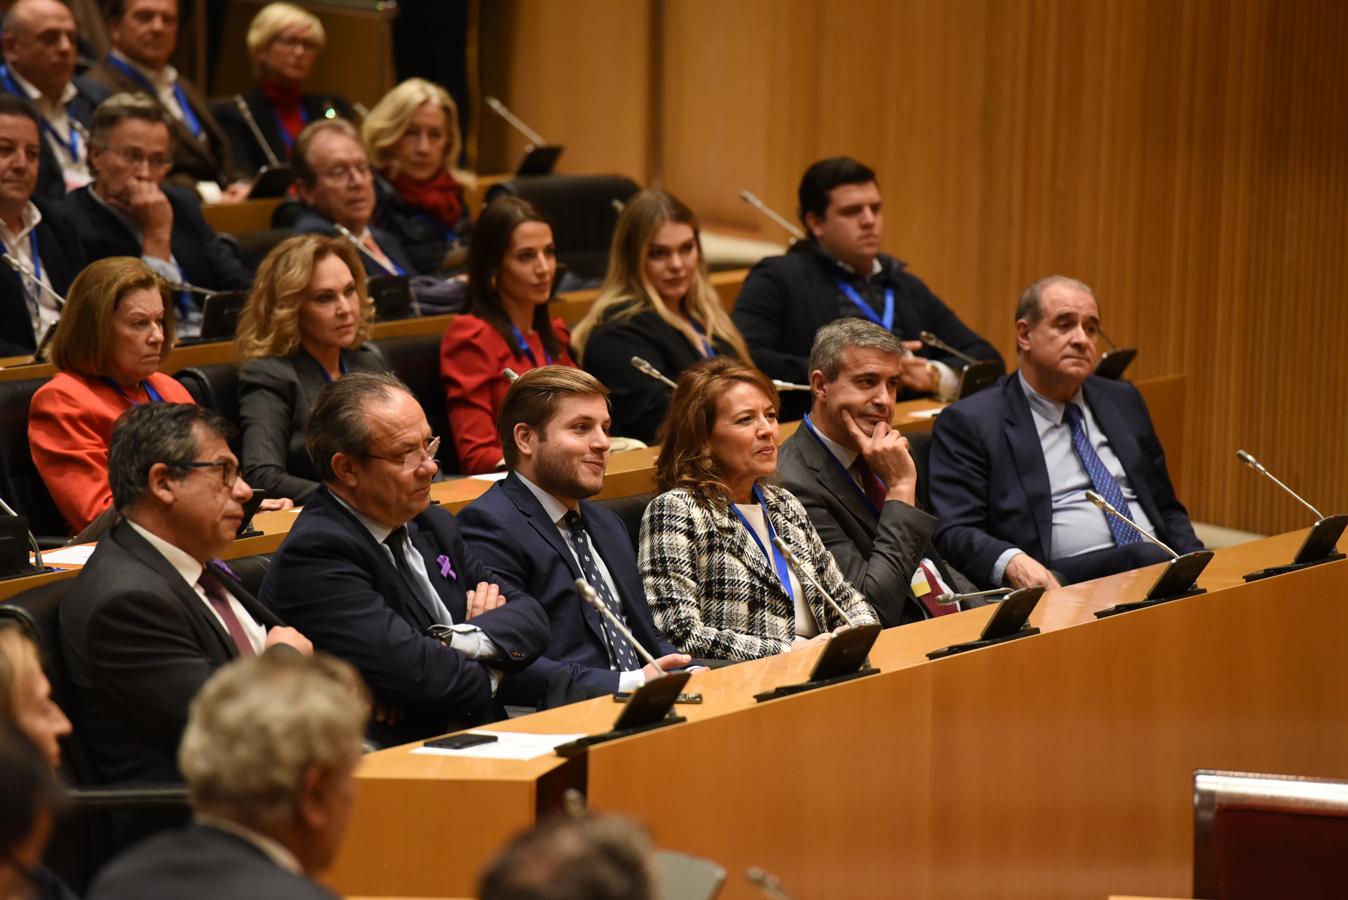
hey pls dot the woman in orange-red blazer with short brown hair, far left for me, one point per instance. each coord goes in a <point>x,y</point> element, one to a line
<point>115,331</point>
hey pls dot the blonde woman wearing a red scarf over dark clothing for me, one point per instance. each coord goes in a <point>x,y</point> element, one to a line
<point>415,145</point>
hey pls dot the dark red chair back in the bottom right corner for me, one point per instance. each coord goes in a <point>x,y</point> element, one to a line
<point>1269,836</point>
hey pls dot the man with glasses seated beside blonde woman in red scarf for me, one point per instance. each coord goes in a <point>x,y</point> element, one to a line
<point>338,191</point>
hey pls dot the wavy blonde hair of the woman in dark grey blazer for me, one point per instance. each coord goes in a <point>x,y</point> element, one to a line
<point>270,321</point>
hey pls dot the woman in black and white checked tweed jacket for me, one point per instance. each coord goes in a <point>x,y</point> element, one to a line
<point>714,581</point>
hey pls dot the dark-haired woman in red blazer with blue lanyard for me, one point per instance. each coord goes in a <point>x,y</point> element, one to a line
<point>512,266</point>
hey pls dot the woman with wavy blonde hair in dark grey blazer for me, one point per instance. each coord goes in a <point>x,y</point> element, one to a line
<point>304,327</point>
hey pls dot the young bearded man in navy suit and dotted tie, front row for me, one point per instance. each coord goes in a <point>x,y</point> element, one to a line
<point>537,530</point>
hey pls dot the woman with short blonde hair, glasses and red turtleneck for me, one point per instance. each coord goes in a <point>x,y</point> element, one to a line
<point>284,44</point>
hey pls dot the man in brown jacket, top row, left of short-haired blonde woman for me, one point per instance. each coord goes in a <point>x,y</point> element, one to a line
<point>145,36</point>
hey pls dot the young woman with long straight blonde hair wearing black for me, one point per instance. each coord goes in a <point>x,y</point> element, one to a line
<point>658,304</point>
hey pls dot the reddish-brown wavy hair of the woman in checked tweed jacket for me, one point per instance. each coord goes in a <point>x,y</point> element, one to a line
<point>685,460</point>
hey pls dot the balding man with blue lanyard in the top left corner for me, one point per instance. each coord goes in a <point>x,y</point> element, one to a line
<point>40,44</point>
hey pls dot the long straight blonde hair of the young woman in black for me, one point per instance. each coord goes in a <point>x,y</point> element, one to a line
<point>627,292</point>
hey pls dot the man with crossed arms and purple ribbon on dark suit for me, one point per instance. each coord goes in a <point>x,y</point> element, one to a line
<point>384,580</point>
